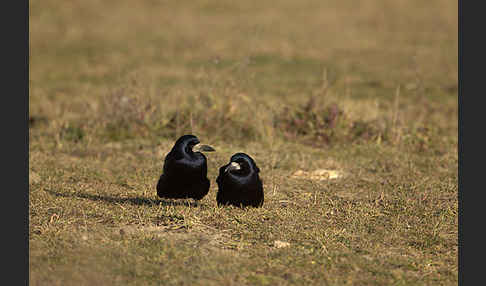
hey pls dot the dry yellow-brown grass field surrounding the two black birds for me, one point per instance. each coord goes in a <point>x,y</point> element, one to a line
<point>368,89</point>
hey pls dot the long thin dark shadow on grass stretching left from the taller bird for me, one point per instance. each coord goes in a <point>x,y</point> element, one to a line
<point>134,201</point>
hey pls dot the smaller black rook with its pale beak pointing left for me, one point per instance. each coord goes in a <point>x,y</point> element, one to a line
<point>239,183</point>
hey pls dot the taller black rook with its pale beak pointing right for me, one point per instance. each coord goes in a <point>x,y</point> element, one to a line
<point>185,170</point>
